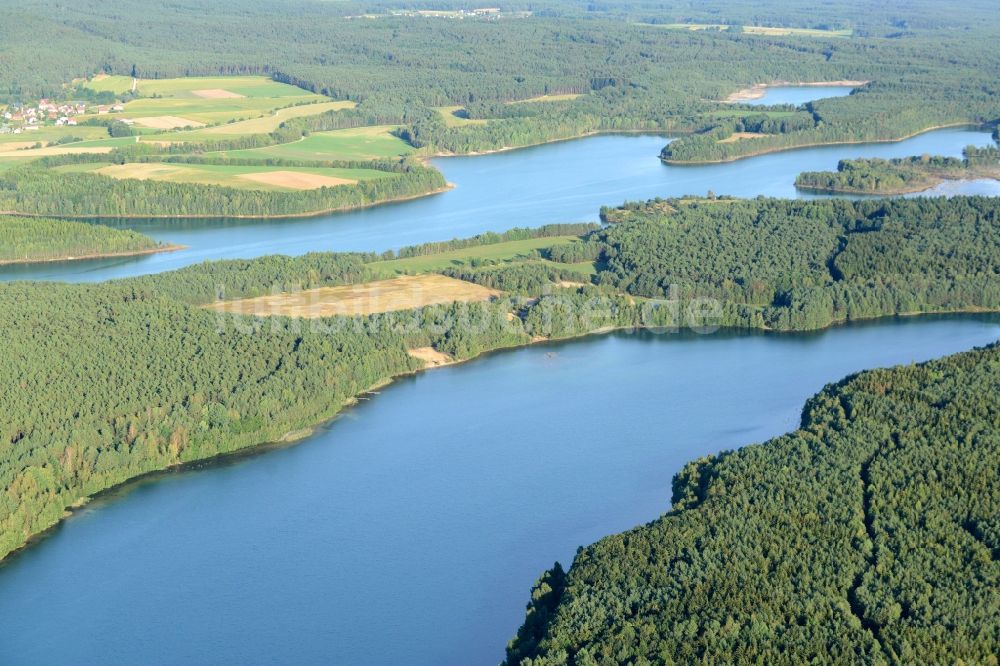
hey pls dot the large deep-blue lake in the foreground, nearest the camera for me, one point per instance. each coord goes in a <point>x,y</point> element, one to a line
<point>411,528</point>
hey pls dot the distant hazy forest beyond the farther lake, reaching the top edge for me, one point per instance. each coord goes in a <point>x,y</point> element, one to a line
<point>926,67</point>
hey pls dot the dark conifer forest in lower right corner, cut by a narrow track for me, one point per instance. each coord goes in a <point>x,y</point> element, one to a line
<point>869,535</point>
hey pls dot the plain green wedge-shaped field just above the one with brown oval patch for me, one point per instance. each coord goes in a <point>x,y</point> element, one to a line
<point>362,143</point>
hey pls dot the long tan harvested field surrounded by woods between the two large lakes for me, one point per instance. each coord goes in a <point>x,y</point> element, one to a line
<point>403,293</point>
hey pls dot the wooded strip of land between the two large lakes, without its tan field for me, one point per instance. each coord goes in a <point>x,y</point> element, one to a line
<point>203,384</point>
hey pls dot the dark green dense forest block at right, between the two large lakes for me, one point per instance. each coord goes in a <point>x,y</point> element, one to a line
<point>799,265</point>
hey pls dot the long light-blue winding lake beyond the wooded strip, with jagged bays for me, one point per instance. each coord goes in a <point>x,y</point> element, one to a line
<point>559,182</point>
